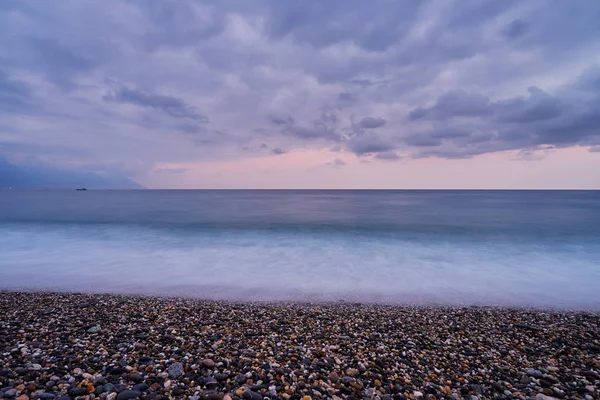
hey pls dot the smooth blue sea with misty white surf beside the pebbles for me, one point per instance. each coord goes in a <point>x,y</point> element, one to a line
<point>513,248</point>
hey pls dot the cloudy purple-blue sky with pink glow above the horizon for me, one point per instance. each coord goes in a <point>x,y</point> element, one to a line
<point>305,94</point>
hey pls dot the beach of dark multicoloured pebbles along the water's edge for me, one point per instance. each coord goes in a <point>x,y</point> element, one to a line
<point>89,346</point>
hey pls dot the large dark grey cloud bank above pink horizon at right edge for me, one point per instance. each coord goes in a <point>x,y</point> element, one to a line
<point>568,117</point>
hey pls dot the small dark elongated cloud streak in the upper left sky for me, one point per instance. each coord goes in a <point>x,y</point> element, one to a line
<point>170,105</point>
